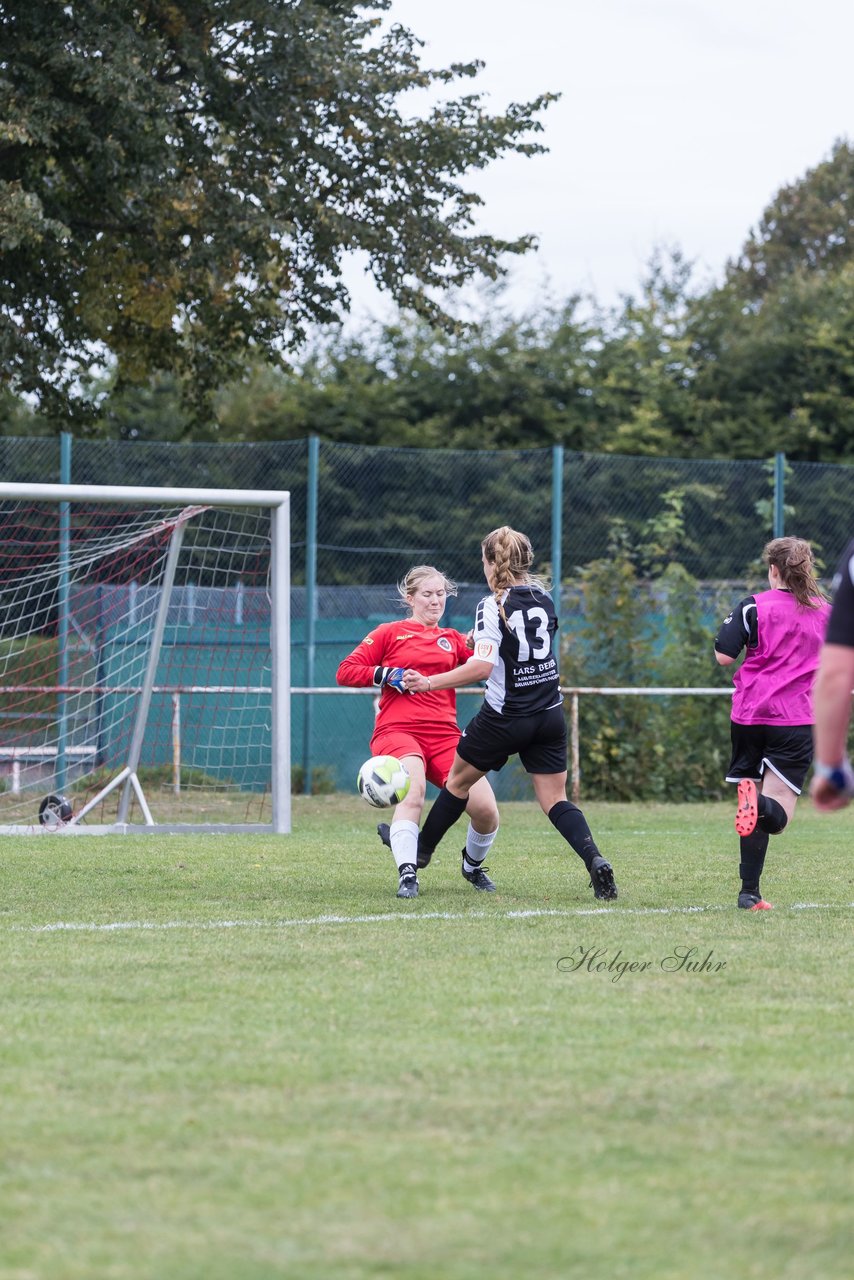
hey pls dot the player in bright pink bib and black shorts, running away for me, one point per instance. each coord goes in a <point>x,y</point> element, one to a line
<point>782,633</point>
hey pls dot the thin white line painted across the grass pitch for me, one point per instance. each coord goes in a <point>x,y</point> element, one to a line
<point>382,918</point>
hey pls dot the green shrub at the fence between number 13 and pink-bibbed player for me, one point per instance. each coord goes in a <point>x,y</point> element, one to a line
<point>643,620</point>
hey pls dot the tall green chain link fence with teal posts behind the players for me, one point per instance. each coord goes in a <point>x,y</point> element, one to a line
<point>362,516</point>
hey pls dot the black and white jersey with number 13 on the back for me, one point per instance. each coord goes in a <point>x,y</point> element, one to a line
<point>524,679</point>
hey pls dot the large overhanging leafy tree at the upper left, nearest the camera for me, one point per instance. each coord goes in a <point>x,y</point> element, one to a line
<point>180,182</point>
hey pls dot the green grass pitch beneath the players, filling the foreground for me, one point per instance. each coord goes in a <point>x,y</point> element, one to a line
<point>243,1058</point>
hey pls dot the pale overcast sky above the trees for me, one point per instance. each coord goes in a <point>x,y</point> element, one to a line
<point>679,122</point>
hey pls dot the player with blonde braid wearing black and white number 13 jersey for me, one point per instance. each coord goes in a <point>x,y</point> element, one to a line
<point>523,714</point>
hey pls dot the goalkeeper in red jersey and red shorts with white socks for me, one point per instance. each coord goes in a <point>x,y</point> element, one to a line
<point>423,732</point>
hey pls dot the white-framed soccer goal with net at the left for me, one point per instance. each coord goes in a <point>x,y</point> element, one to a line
<point>145,671</point>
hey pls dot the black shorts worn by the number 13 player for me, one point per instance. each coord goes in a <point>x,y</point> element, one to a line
<point>538,740</point>
